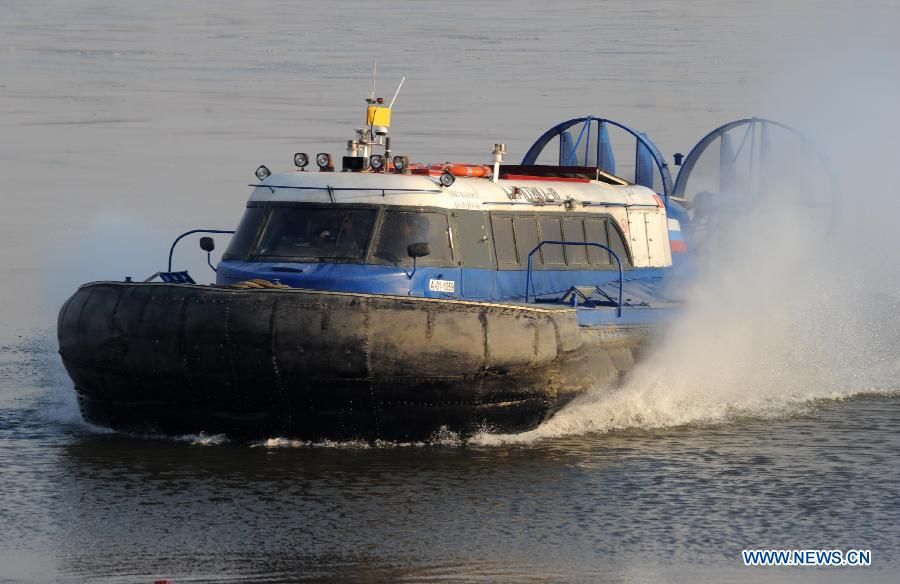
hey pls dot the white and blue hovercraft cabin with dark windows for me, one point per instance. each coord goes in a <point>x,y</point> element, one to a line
<point>363,232</point>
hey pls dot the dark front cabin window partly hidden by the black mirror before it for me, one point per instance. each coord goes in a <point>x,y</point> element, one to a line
<point>401,228</point>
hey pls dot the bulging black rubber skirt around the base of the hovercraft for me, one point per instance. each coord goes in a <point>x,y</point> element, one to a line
<point>314,365</point>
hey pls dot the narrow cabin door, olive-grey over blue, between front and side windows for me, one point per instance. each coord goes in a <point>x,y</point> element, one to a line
<point>475,248</point>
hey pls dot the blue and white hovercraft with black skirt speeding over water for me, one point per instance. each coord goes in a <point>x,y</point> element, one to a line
<point>394,300</point>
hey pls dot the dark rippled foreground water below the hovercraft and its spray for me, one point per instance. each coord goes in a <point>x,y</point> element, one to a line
<point>633,506</point>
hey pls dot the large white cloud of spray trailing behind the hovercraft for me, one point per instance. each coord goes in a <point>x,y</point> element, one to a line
<point>788,310</point>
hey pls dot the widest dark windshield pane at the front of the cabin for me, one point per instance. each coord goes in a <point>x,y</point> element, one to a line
<point>297,232</point>
